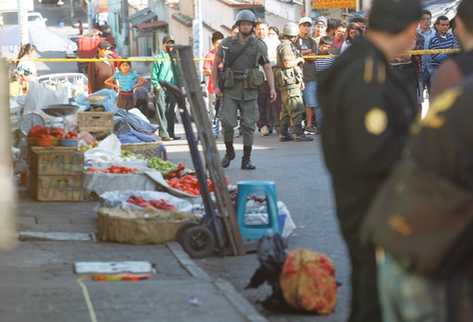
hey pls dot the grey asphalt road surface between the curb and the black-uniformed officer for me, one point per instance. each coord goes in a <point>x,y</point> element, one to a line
<point>303,184</point>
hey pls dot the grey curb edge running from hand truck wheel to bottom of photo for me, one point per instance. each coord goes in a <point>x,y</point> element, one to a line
<point>239,302</point>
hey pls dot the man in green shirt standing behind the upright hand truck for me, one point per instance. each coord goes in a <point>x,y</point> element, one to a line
<point>164,69</point>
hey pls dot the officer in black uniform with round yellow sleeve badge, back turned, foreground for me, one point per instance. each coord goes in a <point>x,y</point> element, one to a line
<point>367,114</point>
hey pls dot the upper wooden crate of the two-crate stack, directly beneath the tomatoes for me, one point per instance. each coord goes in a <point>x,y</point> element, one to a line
<point>56,161</point>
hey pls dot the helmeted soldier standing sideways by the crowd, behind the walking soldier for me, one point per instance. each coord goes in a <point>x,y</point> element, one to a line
<point>290,82</point>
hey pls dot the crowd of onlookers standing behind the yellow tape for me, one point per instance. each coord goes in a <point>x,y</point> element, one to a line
<point>313,38</point>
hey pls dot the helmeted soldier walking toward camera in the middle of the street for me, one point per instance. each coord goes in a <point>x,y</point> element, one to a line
<point>239,82</point>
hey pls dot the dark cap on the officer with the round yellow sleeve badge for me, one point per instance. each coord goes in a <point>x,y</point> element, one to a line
<point>393,16</point>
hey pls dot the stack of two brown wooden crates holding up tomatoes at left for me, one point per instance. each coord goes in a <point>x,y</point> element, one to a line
<point>56,174</point>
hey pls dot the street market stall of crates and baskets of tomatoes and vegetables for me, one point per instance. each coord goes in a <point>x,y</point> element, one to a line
<point>85,147</point>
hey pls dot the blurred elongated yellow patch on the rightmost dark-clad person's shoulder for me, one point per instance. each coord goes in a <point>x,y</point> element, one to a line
<point>441,104</point>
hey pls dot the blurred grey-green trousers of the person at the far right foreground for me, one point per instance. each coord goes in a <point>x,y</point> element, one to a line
<point>408,297</point>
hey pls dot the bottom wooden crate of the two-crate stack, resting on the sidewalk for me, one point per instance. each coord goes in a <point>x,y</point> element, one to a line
<point>57,188</point>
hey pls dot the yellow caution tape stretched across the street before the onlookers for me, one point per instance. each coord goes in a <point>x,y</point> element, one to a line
<point>154,59</point>
